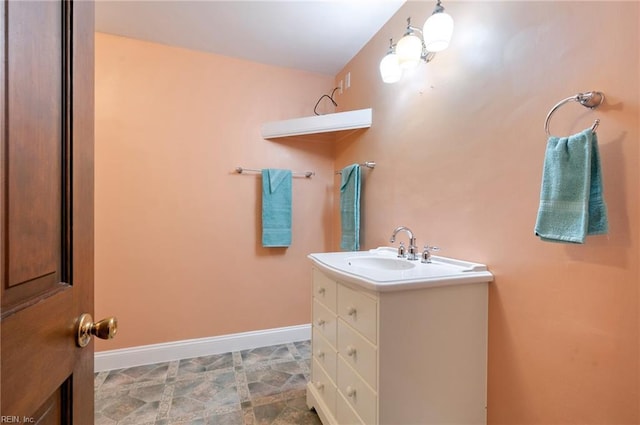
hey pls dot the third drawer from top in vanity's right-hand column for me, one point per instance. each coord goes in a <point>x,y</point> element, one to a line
<point>359,396</point>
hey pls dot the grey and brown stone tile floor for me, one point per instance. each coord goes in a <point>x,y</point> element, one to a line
<point>263,386</point>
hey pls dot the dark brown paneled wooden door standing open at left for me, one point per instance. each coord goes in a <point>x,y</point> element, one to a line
<point>46,210</point>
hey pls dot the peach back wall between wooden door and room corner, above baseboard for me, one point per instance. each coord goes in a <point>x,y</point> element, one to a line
<point>178,242</point>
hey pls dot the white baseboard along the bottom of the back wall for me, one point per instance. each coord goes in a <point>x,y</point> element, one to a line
<point>165,352</point>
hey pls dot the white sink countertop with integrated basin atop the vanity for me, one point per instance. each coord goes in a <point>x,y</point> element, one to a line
<point>381,270</point>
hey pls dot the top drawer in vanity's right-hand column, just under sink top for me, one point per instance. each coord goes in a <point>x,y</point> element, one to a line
<point>358,310</point>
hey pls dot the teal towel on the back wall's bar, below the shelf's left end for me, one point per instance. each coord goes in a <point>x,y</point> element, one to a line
<point>276,208</point>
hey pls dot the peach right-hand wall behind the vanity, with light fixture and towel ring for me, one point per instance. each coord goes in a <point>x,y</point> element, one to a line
<point>460,146</point>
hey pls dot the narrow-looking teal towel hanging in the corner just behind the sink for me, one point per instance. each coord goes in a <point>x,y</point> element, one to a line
<point>350,208</point>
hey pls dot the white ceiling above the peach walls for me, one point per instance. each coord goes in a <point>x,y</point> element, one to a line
<point>317,36</point>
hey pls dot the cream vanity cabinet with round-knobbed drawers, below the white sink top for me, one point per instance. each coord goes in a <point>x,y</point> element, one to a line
<point>411,356</point>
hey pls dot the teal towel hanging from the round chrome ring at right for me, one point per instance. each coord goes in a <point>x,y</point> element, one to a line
<point>571,200</point>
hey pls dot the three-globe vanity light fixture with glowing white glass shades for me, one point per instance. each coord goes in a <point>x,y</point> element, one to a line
<point>416,45</point>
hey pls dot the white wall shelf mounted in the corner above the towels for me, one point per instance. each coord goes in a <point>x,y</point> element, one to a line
<point>339,121</point>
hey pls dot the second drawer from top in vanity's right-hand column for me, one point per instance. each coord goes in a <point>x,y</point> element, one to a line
<point>359,353</point>
